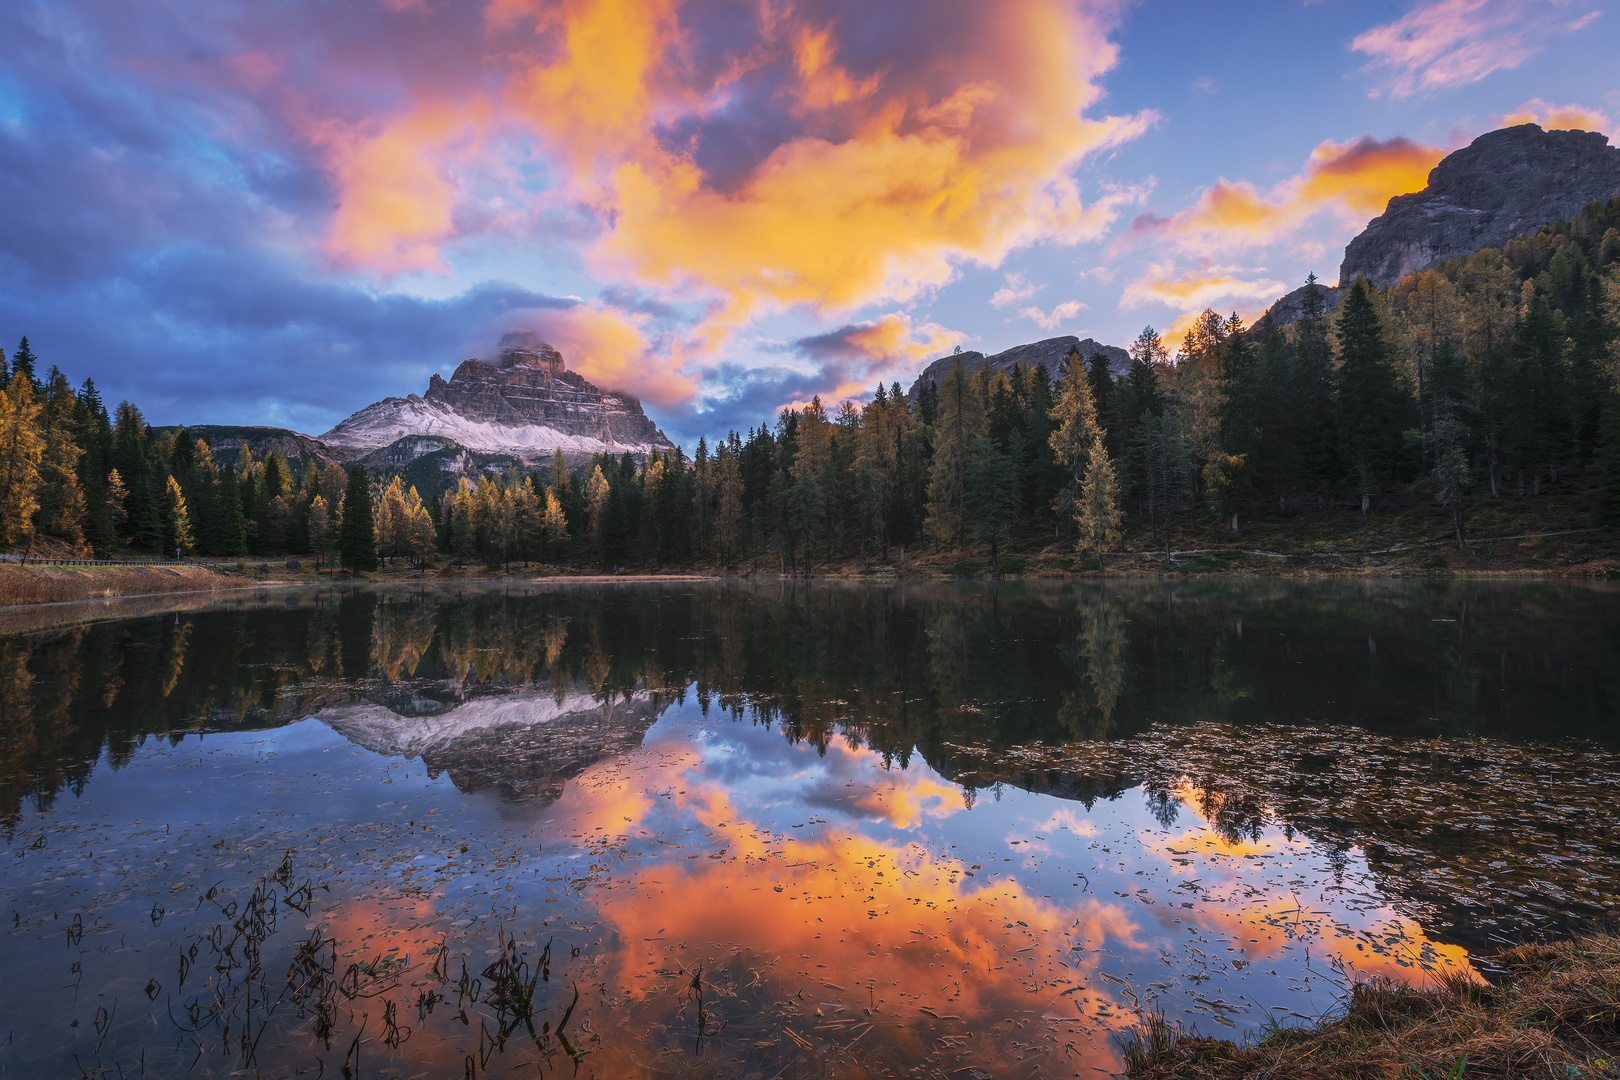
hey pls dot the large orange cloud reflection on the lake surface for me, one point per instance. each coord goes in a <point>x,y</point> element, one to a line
<point>846,921</point>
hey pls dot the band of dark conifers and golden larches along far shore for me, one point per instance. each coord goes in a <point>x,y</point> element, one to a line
<point>1490,376</point>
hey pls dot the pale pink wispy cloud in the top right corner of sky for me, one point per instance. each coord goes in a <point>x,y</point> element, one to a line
<point>1454,43</point>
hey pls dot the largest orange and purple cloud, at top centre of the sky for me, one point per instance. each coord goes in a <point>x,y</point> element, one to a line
<point>957,147</point>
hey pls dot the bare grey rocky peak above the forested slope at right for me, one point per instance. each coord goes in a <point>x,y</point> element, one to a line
<point>1503,185</point>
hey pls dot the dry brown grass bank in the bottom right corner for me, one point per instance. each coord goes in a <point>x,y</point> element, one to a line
<point>1556,1014</point>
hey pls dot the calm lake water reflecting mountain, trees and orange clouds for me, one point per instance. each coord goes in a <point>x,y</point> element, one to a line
<point>772,831</point>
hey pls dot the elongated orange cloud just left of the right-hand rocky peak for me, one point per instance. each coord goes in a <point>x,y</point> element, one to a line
<point>1350,181</point>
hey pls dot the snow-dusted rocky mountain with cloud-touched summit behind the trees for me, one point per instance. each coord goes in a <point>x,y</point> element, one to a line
<point>526,404</point>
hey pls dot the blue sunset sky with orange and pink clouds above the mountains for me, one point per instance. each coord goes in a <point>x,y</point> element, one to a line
<point>278,213</point>
